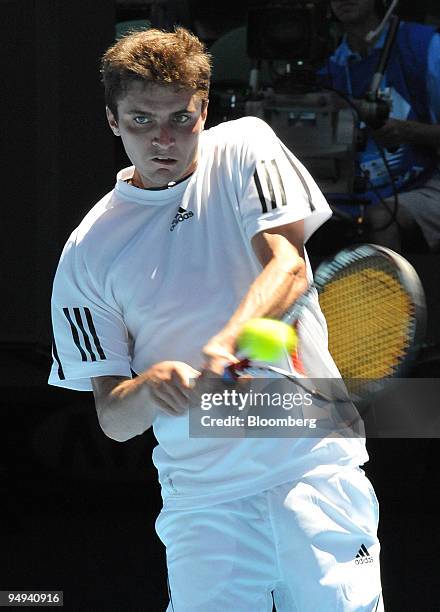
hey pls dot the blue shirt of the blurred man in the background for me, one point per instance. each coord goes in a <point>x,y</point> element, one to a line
<point>413,78</point>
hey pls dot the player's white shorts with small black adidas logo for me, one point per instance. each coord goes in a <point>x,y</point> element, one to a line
<point>306,546</point>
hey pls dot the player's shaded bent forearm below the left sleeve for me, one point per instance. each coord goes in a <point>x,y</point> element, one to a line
<point>125,410</point>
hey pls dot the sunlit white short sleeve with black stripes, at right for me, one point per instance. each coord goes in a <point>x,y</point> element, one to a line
<point>277,189</point>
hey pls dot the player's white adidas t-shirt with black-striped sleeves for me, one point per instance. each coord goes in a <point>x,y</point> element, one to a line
<point>152,275</point>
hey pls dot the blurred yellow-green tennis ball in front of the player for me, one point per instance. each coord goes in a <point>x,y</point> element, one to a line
<point>266,339</point>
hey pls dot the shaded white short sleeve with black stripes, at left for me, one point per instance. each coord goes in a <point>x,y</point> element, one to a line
<point>89,335</point>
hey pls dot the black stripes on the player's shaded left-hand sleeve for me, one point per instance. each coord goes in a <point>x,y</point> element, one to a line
<point>84,337</point>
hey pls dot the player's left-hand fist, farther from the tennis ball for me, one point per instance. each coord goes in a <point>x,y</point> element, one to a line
<point>170,384</point>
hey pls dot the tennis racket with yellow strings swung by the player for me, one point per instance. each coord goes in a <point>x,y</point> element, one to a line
<point>374,304</point>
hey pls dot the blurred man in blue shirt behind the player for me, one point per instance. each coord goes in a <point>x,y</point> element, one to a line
<point>409,140</point>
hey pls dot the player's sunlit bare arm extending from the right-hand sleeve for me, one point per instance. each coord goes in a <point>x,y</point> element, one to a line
<point>282,280</point>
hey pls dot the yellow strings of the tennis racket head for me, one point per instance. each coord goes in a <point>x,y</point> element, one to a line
<point>367,302</point>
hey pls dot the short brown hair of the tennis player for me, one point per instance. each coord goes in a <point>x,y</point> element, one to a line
<point>177,58</point>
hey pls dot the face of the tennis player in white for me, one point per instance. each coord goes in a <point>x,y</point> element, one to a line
<point>160,128</point>
